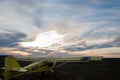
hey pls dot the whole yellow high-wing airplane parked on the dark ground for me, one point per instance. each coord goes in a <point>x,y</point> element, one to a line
<point>12,69</point>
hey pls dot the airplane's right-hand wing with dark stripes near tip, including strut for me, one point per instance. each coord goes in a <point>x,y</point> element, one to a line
<point>63,61</point>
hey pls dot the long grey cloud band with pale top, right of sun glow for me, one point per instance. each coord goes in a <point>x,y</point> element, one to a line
<point>87,44</point>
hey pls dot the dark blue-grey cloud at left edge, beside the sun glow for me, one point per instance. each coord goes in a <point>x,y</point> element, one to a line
<point>11,39</point>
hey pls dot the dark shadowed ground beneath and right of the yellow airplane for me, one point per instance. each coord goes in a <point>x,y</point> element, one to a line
<point>107,69</point>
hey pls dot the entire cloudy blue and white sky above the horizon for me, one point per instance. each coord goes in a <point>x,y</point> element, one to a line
<point>60,28</point>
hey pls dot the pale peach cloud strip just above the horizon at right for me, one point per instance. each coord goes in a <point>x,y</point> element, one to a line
<point>105,52</point>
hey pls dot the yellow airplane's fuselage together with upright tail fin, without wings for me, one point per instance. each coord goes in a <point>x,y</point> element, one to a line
<point>13,69</point>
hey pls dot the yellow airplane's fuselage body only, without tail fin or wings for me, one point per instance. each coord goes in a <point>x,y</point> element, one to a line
<point>32,68</point>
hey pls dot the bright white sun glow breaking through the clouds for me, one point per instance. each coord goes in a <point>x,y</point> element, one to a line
<point>44,39</point>
